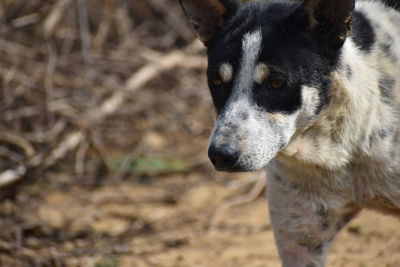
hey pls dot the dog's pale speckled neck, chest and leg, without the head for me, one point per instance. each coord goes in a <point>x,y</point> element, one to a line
<point>349,158</point>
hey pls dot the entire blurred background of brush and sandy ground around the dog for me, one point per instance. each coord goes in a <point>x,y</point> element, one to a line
<point>104,122</point>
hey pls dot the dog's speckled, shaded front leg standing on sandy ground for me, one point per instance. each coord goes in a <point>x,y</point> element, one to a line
<point>304,225</point>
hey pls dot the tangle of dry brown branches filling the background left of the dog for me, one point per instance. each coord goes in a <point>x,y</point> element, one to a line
<point>53,116</point>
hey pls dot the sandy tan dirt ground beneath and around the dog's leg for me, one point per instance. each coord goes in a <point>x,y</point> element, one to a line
<point>167,222</point>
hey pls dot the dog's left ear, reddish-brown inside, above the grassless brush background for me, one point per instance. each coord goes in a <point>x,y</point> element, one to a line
<point>208,15</point>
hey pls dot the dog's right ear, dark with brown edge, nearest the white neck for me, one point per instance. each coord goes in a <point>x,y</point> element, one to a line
<point>330,18</point>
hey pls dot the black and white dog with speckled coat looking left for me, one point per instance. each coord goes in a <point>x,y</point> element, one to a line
<point>310,90</point>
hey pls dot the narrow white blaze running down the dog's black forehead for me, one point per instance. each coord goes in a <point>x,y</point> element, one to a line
<point>251,46</point>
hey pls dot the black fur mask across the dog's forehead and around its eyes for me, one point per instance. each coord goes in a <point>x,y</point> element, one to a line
<point>293,53</point>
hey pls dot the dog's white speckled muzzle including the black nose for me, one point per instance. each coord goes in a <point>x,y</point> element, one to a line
<point>246,146</point>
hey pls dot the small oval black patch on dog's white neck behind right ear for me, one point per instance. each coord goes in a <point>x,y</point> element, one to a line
<point>363,33</point>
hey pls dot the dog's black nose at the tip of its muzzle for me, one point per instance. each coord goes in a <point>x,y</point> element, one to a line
<point>223,157</point>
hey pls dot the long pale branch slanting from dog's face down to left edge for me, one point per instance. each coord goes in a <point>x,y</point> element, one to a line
<point>108,107</point>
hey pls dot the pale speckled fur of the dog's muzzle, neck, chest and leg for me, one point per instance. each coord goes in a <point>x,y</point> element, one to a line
<point>333,163</point>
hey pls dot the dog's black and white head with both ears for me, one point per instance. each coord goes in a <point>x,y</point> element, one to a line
<point>268,71</point>
